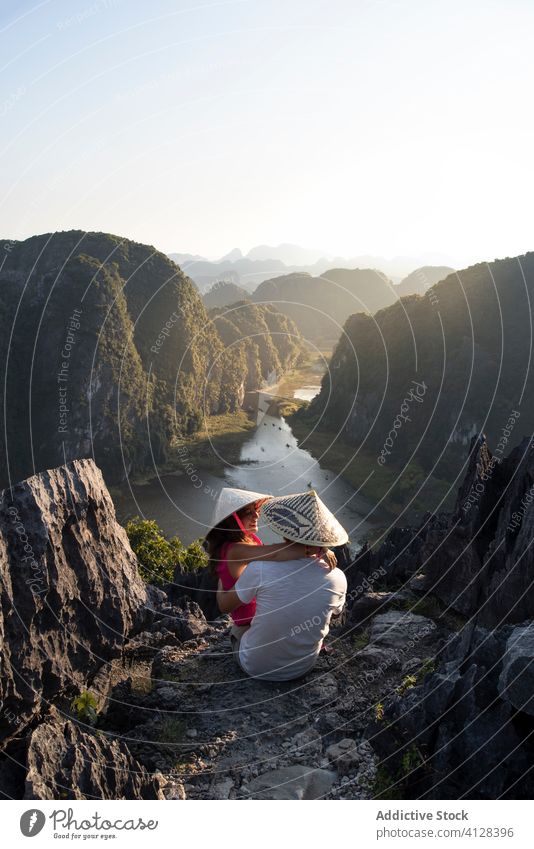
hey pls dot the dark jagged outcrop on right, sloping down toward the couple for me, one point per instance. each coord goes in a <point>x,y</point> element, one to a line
<point>477,560</point>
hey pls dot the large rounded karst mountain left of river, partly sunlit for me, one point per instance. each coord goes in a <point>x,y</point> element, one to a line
<point>106,351</point>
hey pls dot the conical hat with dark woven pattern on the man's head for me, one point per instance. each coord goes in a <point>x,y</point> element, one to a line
<point>304,518</point>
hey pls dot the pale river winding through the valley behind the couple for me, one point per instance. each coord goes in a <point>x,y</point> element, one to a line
<point>271,461</point>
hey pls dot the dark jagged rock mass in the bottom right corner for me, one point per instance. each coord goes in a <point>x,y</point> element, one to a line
<point>466,732</point>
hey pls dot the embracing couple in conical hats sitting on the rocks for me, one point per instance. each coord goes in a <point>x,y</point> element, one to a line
<point>281,597</point>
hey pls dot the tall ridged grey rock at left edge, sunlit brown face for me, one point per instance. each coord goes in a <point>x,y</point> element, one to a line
<point>70,589</point>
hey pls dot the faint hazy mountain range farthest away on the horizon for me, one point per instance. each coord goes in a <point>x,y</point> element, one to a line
<point>265,261</point>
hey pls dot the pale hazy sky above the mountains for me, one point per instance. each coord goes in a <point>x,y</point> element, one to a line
<point>355,126</point>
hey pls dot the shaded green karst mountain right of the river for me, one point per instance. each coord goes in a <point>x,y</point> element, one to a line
<point>409,386</point>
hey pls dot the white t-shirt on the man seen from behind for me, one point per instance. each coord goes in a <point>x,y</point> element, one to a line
<point>294,603</point>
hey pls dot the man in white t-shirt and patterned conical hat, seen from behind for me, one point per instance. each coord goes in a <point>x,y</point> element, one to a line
<point>295,599</point>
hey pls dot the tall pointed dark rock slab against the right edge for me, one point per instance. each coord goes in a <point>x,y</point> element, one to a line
<point>482,562</point>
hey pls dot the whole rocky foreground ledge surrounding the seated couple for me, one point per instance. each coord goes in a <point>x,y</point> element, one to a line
<point>416,697</point>
